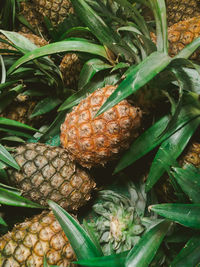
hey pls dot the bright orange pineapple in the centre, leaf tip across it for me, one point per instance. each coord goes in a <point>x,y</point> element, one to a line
<point>94,141</point>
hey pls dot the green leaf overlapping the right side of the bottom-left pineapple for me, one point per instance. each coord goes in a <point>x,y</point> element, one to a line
<point>80,241</point>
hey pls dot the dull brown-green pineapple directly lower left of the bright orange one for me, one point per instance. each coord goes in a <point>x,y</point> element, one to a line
<point>48,173</point>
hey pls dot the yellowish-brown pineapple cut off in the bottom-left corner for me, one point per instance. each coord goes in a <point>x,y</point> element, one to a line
<point>29,242</point>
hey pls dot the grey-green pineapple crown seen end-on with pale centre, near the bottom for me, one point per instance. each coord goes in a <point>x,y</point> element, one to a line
<point>116,221</point>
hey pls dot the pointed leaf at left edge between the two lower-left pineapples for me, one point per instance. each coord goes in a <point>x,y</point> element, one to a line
<point>8,197</point>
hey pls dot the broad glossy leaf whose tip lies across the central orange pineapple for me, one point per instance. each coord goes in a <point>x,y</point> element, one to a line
<point>139,76</point>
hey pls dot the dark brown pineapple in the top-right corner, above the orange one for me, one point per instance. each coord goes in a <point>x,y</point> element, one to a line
<point>179,10</point>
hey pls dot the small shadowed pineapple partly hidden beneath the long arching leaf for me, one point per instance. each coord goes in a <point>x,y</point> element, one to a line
<point>70,67</point>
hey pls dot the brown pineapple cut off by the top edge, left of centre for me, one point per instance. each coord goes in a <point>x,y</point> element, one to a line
<point>55,10</point>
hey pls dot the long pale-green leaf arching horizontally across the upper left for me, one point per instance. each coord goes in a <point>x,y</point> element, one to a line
<point>75,44</point>
